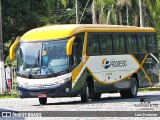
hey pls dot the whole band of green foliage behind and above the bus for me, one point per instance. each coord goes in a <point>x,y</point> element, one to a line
<point>19,16</point>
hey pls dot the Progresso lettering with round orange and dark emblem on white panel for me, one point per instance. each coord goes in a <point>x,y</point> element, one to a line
<point>113,63</point>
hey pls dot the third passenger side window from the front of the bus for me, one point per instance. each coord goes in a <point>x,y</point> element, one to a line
<point>119,44</point>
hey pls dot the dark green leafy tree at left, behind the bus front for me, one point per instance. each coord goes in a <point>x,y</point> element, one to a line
<point>19,16</point>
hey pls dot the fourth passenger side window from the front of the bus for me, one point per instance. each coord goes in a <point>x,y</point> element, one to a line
<point>131,43</point>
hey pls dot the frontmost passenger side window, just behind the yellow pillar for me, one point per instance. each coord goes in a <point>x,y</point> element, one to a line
<point>93,45</point>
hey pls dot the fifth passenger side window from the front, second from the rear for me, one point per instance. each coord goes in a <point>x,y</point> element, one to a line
<point>142,43</point>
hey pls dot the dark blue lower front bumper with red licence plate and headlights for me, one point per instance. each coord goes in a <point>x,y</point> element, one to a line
<point>62,90</point>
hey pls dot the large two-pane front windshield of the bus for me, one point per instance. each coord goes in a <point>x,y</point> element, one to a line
<point>42,58</point>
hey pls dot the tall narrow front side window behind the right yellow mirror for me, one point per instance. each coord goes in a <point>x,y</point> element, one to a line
<point>77,49</point>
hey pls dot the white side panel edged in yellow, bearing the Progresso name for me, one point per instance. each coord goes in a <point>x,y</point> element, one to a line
<point>112,68</point>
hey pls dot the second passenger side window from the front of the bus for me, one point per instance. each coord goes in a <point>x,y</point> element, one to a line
<point>106,44</point>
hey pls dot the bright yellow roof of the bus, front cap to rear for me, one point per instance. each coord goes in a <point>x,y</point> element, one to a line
<point>62,31</point>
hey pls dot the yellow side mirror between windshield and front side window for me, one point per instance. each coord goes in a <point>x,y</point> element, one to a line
<point>69,45</point>
